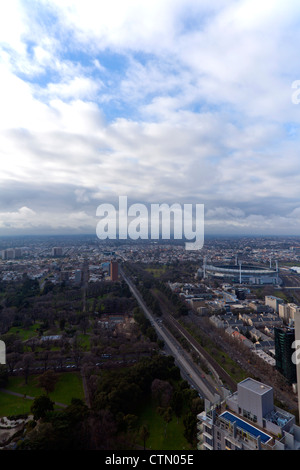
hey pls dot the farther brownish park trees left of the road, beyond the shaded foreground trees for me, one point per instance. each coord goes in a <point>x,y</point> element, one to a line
<point>59,313</point>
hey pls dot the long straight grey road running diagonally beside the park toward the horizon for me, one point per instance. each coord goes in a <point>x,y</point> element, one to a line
<point>188,369</point>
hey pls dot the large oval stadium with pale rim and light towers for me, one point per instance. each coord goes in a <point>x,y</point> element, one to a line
<point>240,273</point>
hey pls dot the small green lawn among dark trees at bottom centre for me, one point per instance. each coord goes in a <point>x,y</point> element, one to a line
<point>173,439</point>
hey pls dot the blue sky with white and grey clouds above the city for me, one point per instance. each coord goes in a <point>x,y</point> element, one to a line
<point>162,101</point>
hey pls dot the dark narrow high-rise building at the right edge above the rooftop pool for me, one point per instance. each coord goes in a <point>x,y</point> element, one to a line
<point>284,339</point>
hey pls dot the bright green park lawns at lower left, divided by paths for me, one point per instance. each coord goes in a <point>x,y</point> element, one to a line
<point>68,386</point>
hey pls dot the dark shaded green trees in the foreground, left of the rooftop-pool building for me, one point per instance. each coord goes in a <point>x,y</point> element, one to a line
<point>111,423</point>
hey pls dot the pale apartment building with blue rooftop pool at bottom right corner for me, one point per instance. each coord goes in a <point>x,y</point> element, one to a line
<point>247,420</point>
